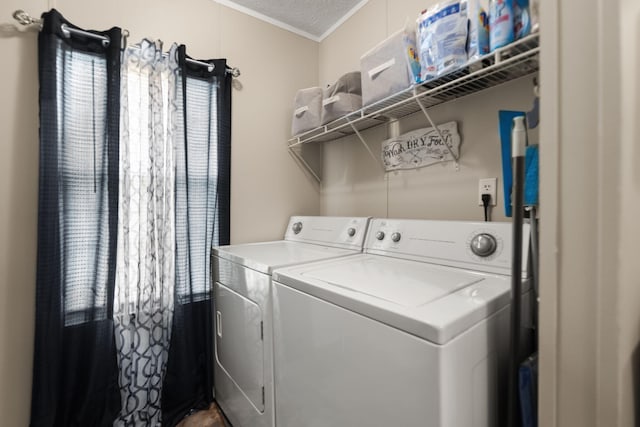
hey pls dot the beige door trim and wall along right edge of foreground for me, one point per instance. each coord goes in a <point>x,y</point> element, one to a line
<point>590,286</point>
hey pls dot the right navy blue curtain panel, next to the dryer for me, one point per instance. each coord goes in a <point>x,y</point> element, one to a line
<point>203,187</point>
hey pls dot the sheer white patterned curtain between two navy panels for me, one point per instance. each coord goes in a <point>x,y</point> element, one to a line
<point>145,277</point>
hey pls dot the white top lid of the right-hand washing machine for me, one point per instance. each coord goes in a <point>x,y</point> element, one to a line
<point>431,301</point>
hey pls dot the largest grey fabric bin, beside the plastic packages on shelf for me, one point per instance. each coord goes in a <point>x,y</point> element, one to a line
<point>389,67</point>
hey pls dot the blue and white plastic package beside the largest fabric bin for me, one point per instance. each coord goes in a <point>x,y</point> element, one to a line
<point>442,34</point>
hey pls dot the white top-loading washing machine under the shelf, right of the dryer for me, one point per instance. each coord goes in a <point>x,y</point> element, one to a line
<point>413,332</point>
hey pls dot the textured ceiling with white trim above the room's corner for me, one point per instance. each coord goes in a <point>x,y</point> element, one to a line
<point>314,19</point>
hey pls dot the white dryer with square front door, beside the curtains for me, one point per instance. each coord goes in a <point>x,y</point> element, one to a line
<point>242,305</point>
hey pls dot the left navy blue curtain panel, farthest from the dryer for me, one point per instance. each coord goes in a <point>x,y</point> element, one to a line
<point>75,379</point>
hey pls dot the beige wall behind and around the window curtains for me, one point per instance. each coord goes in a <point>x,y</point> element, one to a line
<point>267,186</point>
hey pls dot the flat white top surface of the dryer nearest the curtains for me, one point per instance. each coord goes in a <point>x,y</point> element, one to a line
<point>266,256</point>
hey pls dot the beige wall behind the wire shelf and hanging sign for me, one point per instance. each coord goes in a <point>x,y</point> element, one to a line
<point>355,184</point>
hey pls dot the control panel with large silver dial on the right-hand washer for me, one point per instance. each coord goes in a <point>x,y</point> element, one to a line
<point>484,246</point>
